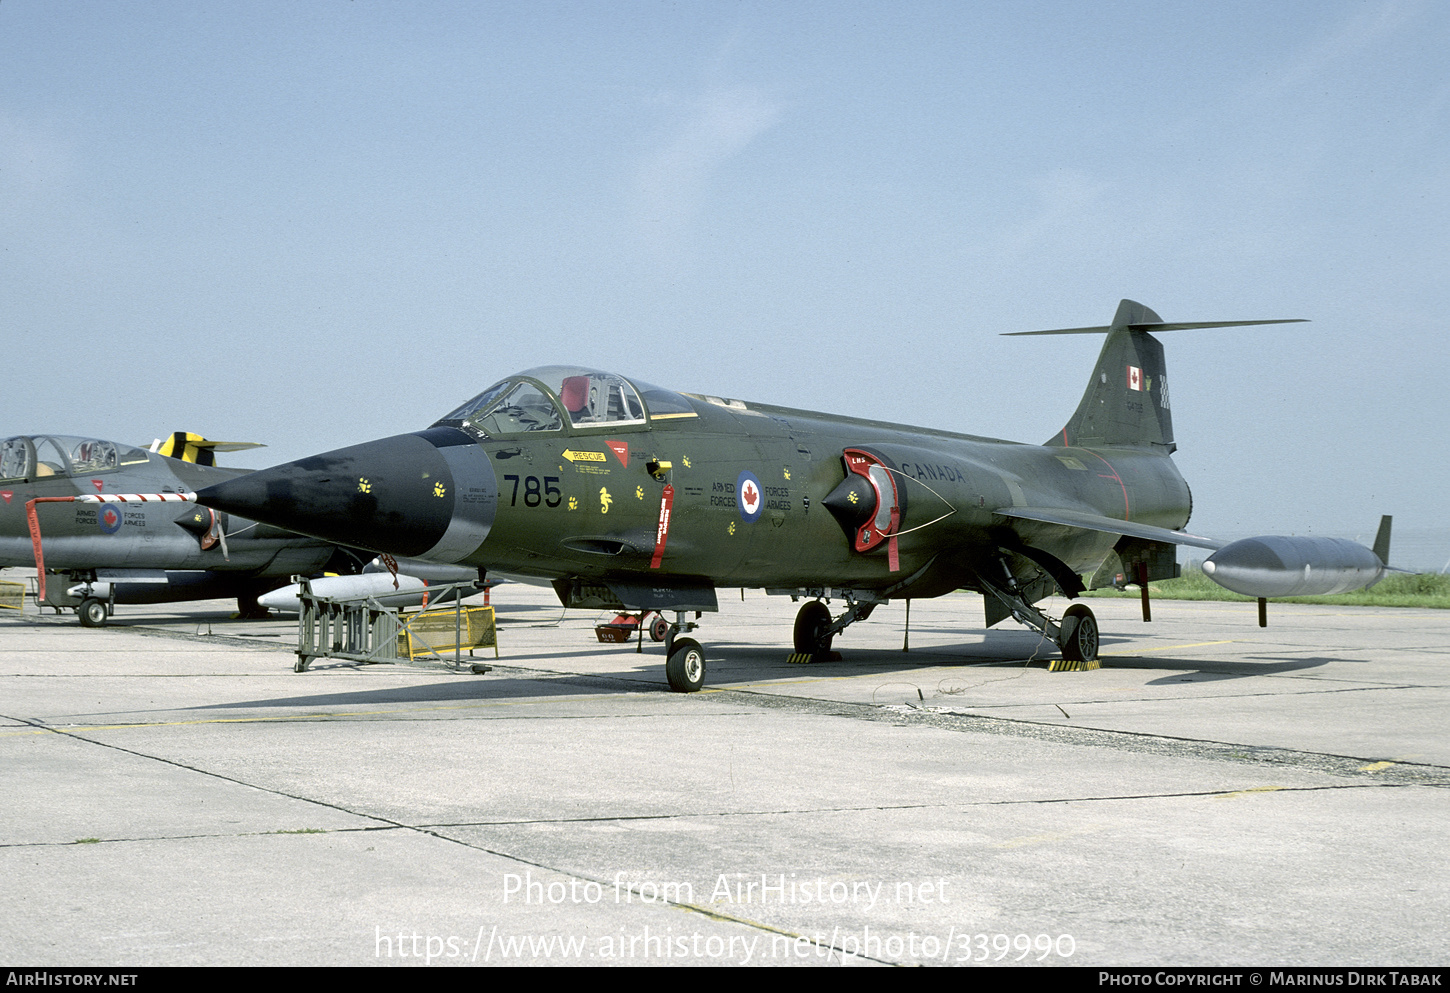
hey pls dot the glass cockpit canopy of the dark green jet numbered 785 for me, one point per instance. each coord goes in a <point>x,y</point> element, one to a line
<point>544,399</point>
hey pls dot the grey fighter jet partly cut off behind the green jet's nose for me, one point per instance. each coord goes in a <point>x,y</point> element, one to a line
<point>65,510</point>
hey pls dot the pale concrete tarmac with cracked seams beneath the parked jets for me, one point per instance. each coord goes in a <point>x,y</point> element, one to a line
<point>172,794</point>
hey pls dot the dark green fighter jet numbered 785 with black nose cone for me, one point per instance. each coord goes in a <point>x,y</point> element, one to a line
<point>631,496</point>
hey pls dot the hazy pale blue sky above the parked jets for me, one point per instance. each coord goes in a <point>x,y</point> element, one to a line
<point>317,224</point>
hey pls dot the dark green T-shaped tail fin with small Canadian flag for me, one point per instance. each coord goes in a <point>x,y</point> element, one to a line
<point>1127,401</point>
